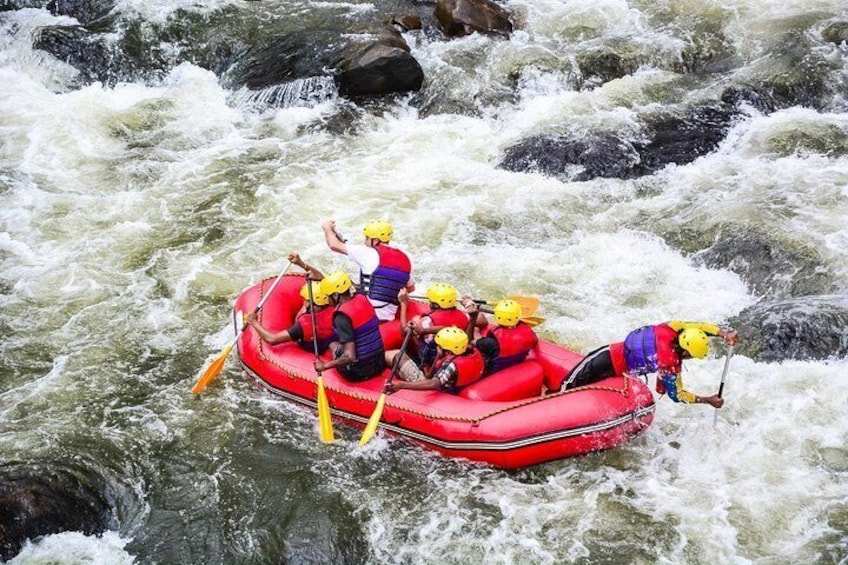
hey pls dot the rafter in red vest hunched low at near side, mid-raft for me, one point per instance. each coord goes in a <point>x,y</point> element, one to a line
<point>457,364</point>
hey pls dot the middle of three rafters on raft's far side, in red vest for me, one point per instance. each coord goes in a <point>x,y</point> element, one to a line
<point>443,313</point>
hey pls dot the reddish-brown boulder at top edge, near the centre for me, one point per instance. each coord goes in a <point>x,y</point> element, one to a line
<point>457,18</point>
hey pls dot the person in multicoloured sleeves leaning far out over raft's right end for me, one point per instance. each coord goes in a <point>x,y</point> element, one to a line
<point>660,349</point>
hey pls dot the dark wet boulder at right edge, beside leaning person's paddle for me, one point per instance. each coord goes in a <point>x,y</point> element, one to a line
<point>811,327</point>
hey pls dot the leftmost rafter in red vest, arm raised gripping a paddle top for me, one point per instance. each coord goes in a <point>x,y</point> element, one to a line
<point>301,331</point>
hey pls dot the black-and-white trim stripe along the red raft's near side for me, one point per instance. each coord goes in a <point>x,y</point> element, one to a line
<point>461,445</point>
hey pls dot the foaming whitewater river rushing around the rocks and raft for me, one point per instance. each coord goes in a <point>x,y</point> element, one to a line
<point>131,216</point>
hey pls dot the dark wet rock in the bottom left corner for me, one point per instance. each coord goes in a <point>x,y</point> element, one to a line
<point>39,500</point>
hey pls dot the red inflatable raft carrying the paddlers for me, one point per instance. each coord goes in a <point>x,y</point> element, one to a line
<point>502,419</point>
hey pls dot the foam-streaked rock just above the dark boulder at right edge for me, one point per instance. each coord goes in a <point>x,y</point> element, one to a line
<point>771,268</point>
